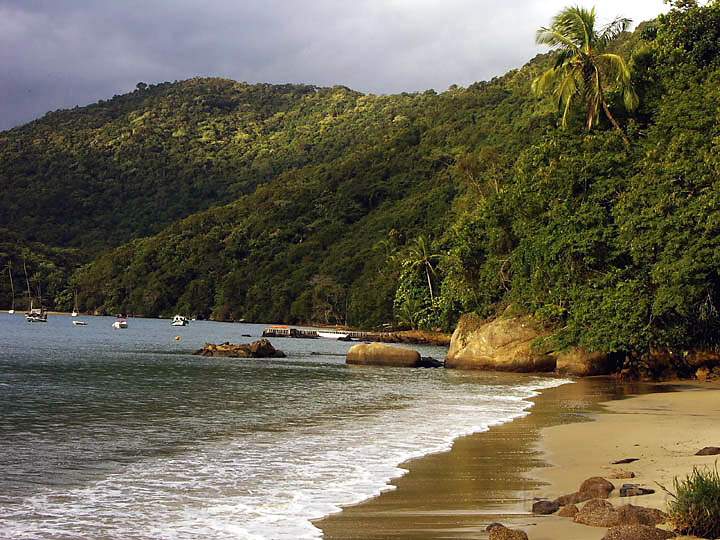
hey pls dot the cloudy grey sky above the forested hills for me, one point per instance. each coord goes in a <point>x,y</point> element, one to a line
<point>61,53</point>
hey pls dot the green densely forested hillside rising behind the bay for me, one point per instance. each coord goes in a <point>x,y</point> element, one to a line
<point>409,209</point>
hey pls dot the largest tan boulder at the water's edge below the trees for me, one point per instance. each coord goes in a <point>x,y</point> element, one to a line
<point>504,344</point>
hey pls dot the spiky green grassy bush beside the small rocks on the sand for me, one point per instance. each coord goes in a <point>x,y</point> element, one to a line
<point>695,506</point>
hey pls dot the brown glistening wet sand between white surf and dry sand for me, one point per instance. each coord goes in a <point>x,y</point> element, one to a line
<point>486,477</point>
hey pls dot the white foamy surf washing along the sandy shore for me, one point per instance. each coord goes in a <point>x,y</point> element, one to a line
<point>269,484</point>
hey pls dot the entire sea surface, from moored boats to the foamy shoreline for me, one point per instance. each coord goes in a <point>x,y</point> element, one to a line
<point>123,434</point>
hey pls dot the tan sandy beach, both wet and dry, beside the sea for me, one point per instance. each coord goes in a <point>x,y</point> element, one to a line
<point>569,436</point>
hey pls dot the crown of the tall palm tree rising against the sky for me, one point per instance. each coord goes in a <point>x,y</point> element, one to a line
<point>584,70</point>
